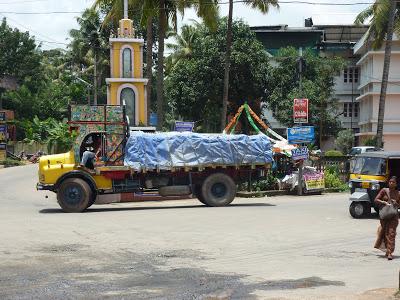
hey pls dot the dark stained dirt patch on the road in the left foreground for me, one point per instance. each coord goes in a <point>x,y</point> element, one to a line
<point>75,272</point>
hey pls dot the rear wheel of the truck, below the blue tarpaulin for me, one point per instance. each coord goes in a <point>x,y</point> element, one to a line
<point>218,190</point>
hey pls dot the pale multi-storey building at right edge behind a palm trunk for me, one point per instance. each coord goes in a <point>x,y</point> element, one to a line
<point>371,68</point>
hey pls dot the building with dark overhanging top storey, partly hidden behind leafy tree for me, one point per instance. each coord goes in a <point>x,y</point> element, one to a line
<point>326,41</point>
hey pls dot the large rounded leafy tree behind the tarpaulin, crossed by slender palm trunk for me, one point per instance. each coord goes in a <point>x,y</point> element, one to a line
<point>194,86</point>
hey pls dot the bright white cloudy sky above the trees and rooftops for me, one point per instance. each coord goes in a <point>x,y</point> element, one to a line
<point>53,29</point>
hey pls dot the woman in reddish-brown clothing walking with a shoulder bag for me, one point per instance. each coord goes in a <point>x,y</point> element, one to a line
<point>387,230</point>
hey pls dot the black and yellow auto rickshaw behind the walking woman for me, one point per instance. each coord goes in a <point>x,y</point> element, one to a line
<point>370,172</point>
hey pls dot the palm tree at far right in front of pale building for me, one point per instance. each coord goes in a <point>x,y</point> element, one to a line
<point>384,20</point>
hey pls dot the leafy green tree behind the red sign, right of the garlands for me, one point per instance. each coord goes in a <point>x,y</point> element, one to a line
<point>317,86</point>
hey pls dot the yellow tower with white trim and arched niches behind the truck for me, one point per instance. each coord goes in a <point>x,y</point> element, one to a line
<point>127,85</point>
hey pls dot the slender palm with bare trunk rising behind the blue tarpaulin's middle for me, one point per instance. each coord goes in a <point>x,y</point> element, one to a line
<point>261,5</point>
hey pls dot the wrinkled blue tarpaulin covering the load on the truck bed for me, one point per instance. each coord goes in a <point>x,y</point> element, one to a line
<point>165,151</point>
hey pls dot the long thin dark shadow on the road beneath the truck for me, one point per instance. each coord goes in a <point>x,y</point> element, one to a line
<point>199,206</point>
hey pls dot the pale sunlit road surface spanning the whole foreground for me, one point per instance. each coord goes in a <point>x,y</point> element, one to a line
<point>266,248</point>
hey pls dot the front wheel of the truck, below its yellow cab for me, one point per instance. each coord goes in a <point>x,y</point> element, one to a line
<point>74,195</point>
